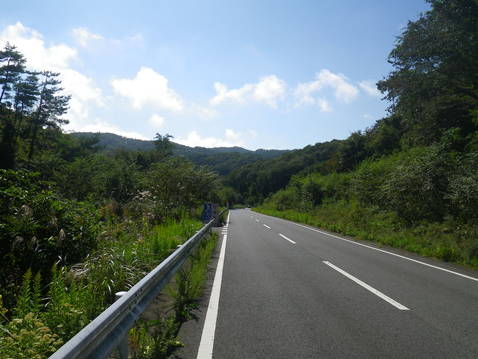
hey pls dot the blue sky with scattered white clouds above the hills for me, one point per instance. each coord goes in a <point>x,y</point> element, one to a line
<point>279,74</point>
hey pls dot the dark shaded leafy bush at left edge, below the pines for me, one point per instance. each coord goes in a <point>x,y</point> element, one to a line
<point>37,227</point>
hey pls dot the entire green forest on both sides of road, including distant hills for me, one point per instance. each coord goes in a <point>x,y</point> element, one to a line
<point>72,204</point>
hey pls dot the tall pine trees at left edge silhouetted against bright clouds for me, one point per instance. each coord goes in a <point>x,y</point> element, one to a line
<point>29,102</point>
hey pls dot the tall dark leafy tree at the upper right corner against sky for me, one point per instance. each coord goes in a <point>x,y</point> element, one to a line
<point>434,84</point>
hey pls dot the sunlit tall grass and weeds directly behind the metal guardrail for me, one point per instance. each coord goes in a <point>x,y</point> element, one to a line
<point>126,251</point>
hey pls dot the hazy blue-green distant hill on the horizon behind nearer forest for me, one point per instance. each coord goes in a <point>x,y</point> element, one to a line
<point>221,159</point>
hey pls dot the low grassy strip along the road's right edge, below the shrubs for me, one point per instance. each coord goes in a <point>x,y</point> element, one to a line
<point>449,241</point>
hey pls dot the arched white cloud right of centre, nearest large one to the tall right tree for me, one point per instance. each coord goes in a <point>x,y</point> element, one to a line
<point>343,90</point>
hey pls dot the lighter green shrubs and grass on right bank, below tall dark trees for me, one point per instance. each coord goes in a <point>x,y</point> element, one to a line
<point>422,200</point>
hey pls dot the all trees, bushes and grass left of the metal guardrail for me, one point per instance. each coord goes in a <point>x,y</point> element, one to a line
<point>77,225</point>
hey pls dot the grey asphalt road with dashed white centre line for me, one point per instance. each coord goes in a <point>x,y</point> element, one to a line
<point>292,291</point>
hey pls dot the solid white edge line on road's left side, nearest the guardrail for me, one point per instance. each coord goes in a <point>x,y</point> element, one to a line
<point>206,345</point>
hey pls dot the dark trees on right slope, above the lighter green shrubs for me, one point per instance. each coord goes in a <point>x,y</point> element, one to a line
<point>432,89</point>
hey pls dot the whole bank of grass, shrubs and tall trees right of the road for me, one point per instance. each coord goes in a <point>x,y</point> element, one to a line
<point>410,181</point>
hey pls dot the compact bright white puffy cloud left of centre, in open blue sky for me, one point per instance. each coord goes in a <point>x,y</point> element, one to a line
<point>148,88</point>
